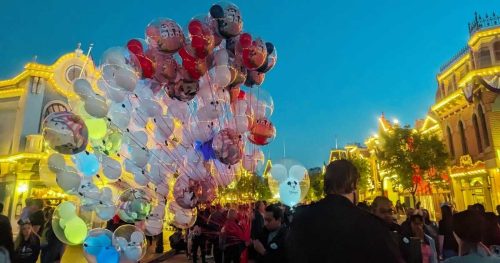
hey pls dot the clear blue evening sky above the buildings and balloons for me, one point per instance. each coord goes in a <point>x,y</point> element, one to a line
<point>340,63</point>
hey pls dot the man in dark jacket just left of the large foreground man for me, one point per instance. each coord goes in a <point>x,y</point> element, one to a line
<point>271,245</point>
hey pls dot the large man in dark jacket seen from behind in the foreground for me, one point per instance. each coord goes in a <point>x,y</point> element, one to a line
<point>335,230</point>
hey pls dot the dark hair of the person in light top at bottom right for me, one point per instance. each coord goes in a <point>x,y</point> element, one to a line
<point>467,226</point>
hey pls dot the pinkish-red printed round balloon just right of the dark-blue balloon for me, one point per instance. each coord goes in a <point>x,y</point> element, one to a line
<point>228,146</point>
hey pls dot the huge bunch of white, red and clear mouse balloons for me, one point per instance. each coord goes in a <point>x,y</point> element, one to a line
<point>180,109</point>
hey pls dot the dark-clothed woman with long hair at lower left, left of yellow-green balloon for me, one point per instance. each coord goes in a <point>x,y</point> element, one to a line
<point>27,245</point>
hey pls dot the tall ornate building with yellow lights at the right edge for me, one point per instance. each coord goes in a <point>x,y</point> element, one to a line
<point>468,111</point>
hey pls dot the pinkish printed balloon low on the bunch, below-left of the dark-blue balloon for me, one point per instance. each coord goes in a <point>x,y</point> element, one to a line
<point>187,191</point>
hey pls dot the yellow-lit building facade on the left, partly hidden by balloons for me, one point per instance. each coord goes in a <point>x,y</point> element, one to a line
<point>25,101</point>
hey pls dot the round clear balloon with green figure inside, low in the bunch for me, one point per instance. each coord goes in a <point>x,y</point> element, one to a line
<point>134,205</point>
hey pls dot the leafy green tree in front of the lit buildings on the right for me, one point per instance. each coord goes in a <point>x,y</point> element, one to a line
<point>412,157</point>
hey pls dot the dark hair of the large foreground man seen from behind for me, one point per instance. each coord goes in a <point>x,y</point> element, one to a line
<point>341,177</point>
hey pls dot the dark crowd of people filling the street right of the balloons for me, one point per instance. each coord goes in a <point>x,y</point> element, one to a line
<point>339,229</point>
